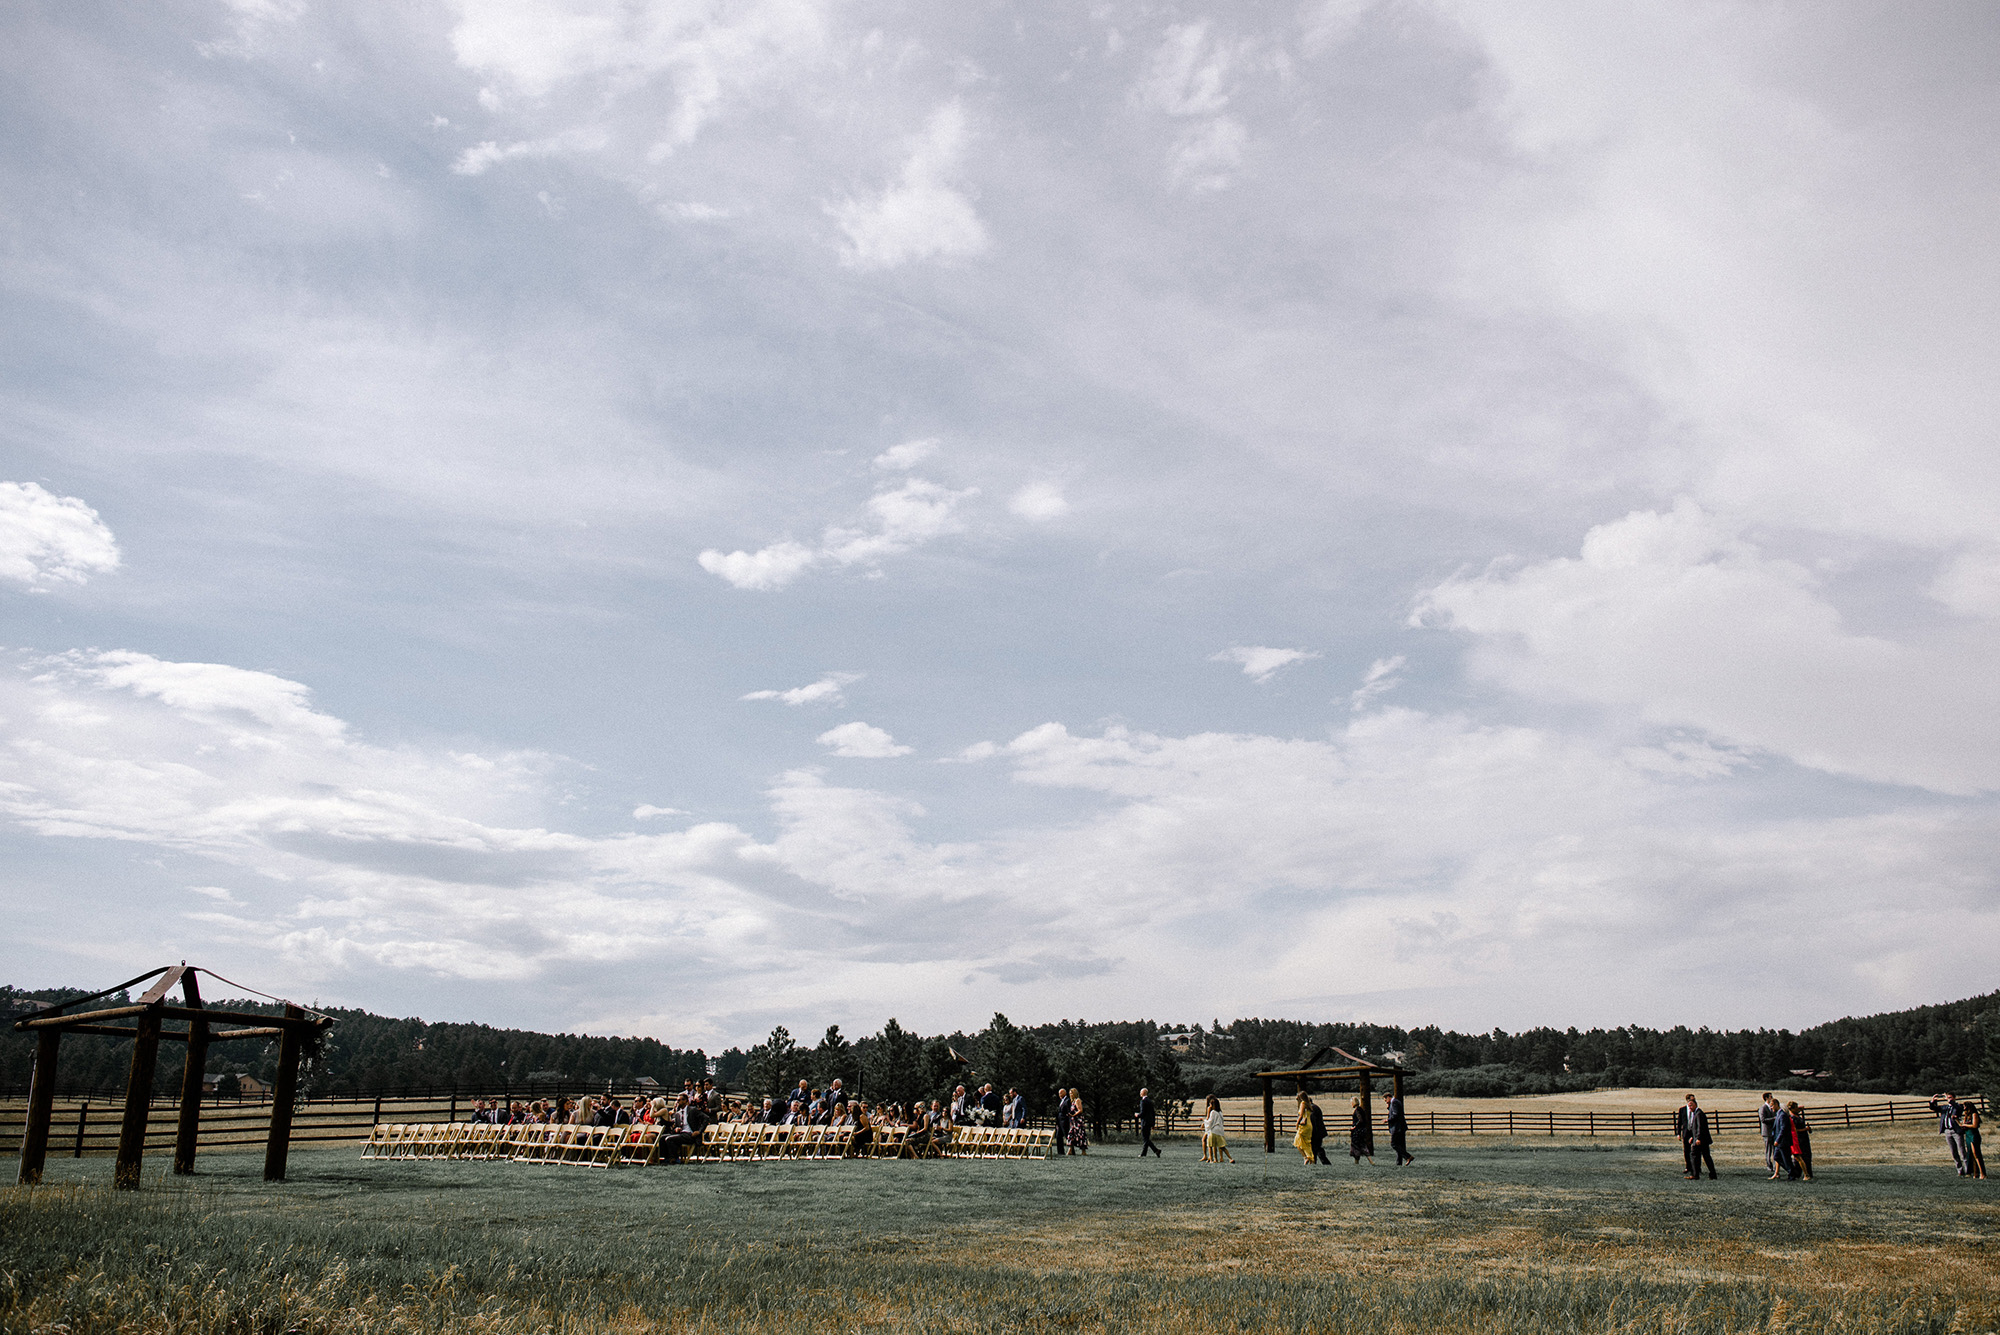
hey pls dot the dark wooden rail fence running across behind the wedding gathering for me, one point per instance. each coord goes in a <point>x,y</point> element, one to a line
<point>91,1126</point>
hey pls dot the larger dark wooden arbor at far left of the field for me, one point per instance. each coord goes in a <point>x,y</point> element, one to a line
<point>149,1030</point>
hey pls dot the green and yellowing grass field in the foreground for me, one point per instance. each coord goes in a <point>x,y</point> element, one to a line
<point>1511,1240</point>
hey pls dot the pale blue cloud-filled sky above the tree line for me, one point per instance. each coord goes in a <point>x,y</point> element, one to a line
<point>679,517</point>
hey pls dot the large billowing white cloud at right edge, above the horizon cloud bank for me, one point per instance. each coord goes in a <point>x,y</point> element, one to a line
<point>1677,617</point>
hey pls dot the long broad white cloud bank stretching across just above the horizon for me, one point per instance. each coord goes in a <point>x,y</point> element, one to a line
<point>1453,860</point>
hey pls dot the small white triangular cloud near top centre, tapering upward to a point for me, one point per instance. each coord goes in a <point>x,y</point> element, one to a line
<point>925,215</point>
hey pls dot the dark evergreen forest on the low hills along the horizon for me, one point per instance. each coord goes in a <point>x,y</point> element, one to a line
<point>1923,1050</point>
